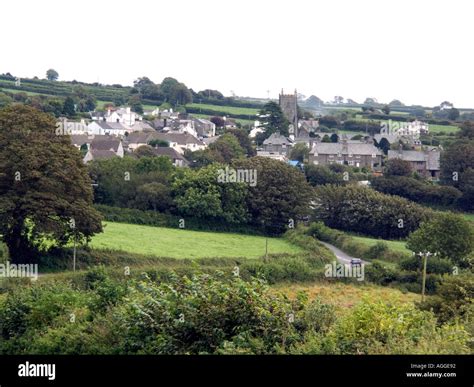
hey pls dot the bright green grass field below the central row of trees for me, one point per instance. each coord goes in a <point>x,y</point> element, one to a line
<point>175,243</point>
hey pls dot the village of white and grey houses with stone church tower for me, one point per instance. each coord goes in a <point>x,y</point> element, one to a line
<point>120,131</point>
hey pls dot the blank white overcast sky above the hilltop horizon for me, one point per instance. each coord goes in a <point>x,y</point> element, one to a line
<point>420,52</point>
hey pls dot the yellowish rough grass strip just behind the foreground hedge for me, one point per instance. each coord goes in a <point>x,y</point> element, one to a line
<point>346,295</point>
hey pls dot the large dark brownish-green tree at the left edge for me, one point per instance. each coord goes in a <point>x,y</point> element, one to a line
<point>45,191</point>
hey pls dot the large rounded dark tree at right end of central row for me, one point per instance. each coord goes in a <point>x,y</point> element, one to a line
<point>280,195</point>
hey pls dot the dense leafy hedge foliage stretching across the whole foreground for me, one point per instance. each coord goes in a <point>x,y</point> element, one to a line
<point>207,314</point>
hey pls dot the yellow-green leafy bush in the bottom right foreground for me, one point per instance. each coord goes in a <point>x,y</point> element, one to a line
<point>378,328</point>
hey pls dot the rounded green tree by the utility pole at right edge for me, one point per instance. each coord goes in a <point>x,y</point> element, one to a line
<point>448,234</point>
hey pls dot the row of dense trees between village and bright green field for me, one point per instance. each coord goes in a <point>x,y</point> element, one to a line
<point>278,197</point>
